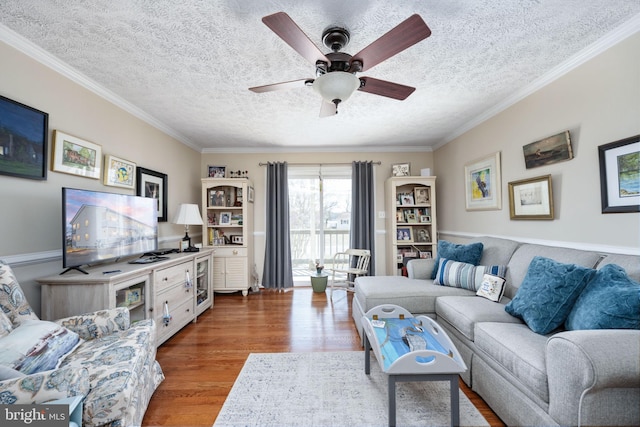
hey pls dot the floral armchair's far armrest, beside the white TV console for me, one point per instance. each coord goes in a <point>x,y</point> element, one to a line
<point>99,323</point>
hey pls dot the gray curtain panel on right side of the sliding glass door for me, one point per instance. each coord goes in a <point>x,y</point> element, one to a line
<point>363,210</point>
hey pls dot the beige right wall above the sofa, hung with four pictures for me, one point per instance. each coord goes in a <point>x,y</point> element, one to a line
<point>598,103</point>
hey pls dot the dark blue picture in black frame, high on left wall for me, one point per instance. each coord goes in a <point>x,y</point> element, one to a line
<point>23,140</point>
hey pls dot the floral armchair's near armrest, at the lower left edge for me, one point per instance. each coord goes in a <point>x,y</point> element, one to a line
<point>45,386</point>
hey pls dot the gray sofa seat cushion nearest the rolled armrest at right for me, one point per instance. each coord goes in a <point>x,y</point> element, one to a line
<point>518,350</point>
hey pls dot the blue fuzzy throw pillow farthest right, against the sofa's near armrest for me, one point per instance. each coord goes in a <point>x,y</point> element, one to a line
<point>611,300</point>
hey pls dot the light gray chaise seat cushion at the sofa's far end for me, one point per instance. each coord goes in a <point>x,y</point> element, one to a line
<point>417,296</point>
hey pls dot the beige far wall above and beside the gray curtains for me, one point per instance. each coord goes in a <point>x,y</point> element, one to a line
<point>250,163</point>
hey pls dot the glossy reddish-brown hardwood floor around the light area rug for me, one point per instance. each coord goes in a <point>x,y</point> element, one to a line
<point>202,361</point>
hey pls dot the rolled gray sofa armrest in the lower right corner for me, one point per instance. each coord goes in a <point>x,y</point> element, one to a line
<point>584,368</point>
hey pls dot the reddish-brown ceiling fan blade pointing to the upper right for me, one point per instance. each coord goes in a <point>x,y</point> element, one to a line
<point>405,35</point>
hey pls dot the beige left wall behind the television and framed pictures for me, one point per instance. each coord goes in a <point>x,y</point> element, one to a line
<point>30,217</point>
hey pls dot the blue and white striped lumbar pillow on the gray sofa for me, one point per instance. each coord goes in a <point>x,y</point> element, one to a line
<point>463,275</point>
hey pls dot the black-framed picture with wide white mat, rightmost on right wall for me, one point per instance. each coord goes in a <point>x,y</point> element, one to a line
<point>620,176</point>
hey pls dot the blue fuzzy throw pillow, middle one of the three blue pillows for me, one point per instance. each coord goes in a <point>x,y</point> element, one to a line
<point>547,293</point>
